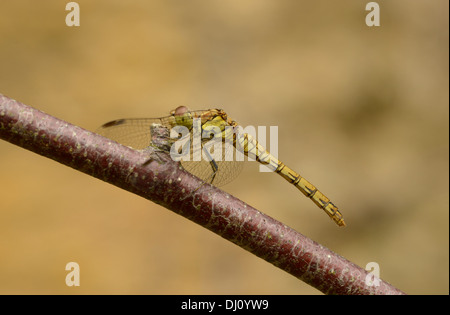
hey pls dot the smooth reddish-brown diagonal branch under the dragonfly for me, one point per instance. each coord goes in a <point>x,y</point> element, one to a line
<point>164,182</point>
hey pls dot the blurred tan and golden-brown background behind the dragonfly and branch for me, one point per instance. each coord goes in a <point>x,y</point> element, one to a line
<point>362,112</point>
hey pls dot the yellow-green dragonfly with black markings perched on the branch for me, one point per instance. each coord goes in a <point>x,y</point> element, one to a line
<point>217,167</point>
